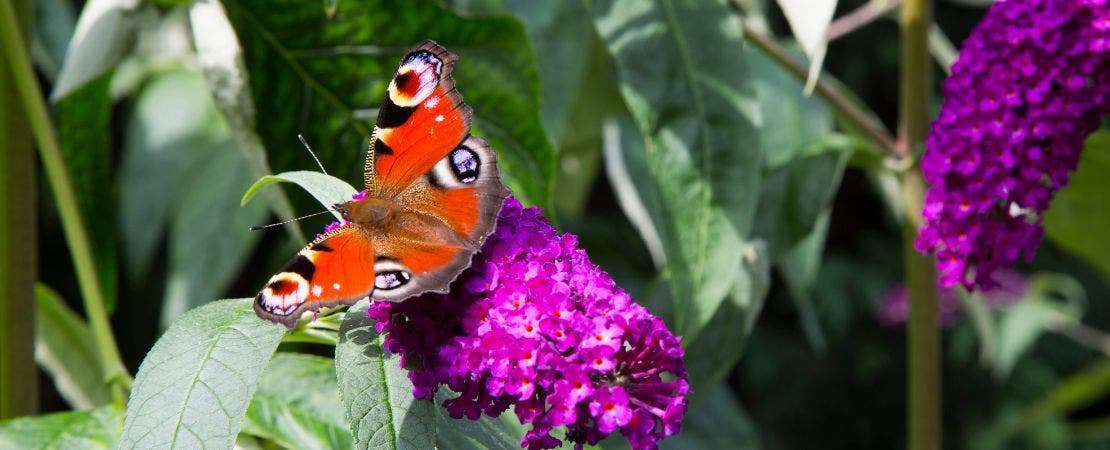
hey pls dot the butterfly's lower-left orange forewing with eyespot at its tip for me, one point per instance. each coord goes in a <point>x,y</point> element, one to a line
<point>332,271</point>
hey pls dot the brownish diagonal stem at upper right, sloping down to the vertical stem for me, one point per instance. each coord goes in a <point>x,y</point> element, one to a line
<point>828,88</point>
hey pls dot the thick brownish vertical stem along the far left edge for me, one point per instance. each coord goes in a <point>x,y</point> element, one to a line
<point>18,254</point>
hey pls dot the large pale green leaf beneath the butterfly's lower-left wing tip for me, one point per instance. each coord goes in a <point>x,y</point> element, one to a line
<point>195,386</point>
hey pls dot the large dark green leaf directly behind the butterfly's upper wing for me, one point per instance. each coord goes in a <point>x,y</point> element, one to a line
<point>325,78</point>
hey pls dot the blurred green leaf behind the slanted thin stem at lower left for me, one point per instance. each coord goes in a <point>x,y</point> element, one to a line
<point>64,347</point>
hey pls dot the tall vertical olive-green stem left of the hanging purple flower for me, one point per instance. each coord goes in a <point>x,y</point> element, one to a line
<point>924,345</point>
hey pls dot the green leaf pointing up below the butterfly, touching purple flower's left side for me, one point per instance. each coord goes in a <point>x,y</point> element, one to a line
<point>377,393</point>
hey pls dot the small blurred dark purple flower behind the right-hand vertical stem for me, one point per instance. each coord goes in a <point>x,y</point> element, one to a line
<point>1008,289</point>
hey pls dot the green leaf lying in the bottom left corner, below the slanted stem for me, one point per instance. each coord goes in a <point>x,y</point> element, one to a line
<point>96,429</point>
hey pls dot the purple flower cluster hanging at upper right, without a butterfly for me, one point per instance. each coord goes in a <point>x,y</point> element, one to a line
<point>1032,83</point>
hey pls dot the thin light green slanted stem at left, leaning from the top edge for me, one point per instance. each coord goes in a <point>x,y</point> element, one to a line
<point>76,236</point>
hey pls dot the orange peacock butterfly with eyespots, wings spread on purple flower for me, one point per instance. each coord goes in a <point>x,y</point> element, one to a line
<point>432,196</point>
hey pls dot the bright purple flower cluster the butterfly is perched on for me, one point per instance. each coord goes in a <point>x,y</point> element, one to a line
<point>536,326</point>
